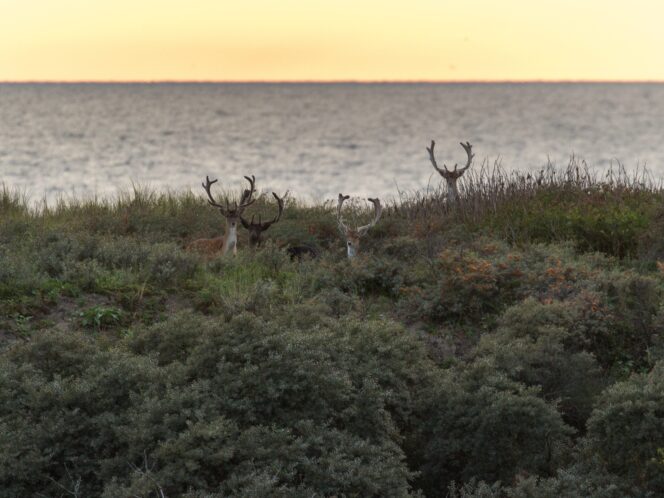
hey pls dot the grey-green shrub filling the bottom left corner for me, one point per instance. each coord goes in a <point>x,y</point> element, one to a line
<point>62,400</point>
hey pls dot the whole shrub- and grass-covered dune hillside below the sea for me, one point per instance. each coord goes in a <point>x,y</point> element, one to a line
<point>507,345</point>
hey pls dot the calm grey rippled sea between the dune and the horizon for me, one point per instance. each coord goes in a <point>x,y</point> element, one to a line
<point>313,139</point>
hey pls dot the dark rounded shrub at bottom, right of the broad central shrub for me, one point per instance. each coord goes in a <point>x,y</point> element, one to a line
<point>482,425</point>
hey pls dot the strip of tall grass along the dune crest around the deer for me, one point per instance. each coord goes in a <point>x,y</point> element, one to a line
<point>602,211</point>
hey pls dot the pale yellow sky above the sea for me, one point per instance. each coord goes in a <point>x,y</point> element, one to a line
<point>221,40</point>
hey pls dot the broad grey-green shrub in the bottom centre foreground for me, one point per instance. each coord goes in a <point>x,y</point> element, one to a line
<point>323,403</point>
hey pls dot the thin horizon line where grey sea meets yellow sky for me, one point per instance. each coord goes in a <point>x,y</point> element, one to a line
<point>339,81</point>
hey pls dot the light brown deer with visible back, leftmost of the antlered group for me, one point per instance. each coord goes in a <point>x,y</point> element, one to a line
<point>228,241</point>
